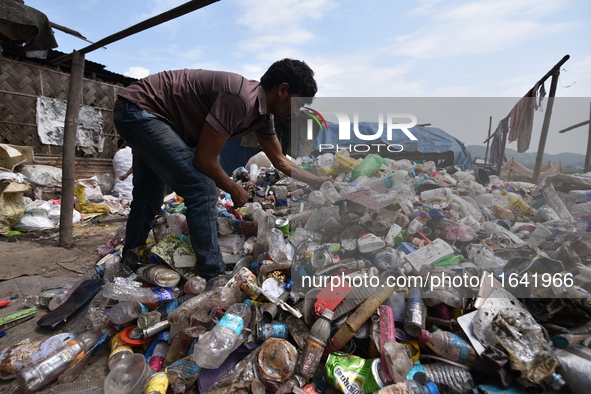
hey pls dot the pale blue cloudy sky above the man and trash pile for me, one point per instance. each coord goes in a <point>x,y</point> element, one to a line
<point>371,48</point>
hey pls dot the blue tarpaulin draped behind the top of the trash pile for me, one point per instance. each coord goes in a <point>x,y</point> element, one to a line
<point>429,140</point>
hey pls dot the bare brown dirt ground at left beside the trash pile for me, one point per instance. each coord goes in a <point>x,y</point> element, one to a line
<point>33,262</point>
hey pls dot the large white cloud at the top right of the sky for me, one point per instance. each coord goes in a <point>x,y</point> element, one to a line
<point>483,26</point>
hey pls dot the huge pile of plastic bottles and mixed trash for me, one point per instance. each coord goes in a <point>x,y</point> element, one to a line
<point>397,277</point>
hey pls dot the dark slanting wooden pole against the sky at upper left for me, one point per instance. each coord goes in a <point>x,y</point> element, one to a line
<point>181,10</point>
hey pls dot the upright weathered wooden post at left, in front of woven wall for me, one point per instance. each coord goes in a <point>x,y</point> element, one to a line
<point>69,148</point>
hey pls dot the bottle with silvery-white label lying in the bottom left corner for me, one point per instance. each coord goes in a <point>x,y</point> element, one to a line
<point>35,377</point>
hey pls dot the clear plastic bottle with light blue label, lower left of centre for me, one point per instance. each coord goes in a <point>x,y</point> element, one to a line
<point>214,347</point>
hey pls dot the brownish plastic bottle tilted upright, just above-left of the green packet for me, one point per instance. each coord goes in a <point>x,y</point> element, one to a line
<point>315,344</point>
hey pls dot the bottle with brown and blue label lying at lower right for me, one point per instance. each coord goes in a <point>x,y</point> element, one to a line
<point>449,346</point>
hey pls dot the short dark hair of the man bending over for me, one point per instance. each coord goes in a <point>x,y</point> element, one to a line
<point>296,73</point>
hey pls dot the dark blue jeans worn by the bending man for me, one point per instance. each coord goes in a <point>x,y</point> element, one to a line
<point>161,158</point>
